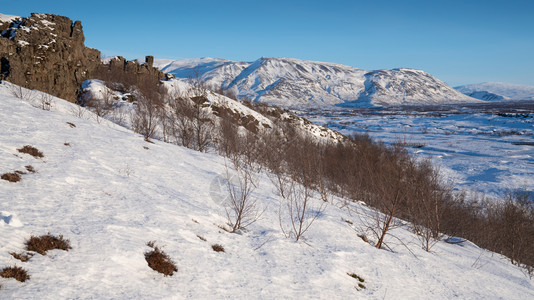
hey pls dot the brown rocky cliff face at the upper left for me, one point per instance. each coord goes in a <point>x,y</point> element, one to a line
<point>47,53</point>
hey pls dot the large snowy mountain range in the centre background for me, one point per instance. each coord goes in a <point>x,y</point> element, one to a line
<point>294,82</point>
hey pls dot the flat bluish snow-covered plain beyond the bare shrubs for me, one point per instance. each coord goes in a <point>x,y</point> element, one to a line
<point>473,147</point>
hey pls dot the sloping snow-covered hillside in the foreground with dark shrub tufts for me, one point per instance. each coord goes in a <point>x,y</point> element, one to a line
<point>109,192</point>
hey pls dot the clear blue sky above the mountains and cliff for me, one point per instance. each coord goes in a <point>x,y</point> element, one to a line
<point>459,42</point>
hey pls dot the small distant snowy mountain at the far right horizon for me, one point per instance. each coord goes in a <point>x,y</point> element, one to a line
<point>497,91</point>
